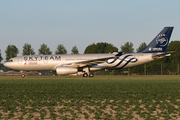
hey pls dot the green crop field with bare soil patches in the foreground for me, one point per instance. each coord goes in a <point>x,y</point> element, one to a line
<point>101,97</point>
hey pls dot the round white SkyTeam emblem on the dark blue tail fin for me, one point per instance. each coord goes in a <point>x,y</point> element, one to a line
<point>161,40</point>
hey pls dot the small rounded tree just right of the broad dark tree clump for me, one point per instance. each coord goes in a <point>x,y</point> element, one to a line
<point>127,47</point>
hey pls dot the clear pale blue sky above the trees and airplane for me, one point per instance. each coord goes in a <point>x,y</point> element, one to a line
<point>84,22</point>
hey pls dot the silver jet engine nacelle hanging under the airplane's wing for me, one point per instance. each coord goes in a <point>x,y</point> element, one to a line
<point>64,70</point>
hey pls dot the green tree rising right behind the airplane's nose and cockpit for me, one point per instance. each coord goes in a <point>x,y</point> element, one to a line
<point>11,51</point>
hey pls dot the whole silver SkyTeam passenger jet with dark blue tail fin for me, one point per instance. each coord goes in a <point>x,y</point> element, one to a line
<point>71,64</point>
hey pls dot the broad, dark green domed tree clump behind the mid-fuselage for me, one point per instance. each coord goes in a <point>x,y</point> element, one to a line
<point>101,48</point>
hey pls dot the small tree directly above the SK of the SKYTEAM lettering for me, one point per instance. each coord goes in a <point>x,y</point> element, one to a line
<point>27,50</point>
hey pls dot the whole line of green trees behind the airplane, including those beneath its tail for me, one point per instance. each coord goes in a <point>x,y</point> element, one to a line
<point>167,65</point>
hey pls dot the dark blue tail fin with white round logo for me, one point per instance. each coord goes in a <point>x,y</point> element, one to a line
<point>160,42</point>
